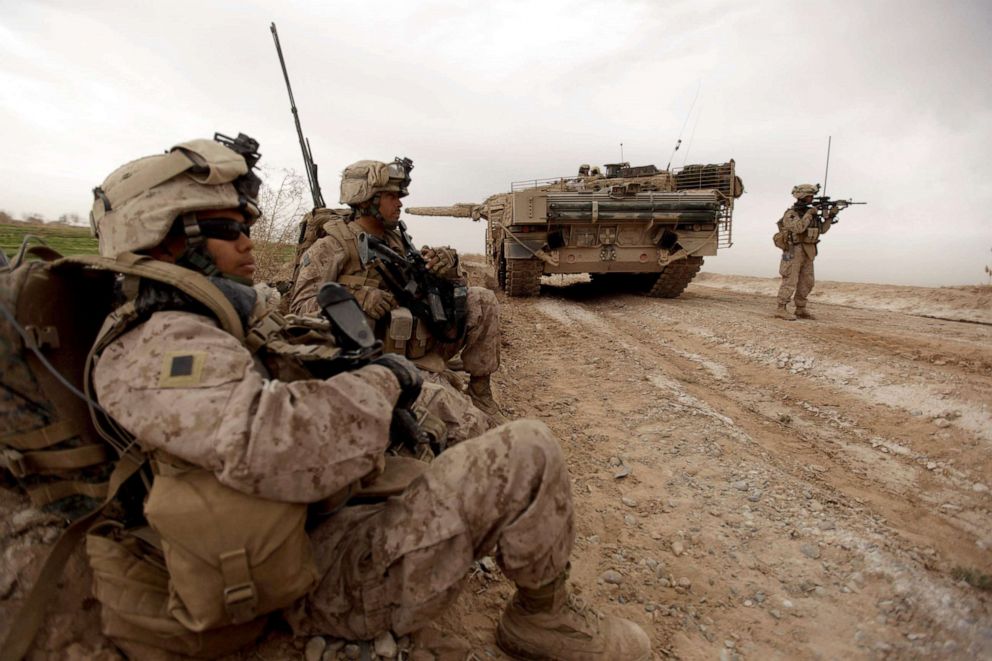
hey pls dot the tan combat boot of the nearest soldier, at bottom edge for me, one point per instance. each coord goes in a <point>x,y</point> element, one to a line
<point>550,624</point>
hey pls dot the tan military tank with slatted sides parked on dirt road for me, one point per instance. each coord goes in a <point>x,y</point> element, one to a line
<point>630,228</point>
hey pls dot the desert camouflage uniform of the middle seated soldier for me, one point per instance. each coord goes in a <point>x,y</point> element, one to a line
<point>330,260</point>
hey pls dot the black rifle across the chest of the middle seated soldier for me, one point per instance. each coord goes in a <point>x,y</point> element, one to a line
<point>439,302</point>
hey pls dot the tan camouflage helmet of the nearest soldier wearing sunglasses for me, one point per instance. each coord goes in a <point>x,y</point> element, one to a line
<point>136,206</point>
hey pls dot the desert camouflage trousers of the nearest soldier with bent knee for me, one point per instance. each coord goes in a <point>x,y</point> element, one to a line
<point>397,565</point>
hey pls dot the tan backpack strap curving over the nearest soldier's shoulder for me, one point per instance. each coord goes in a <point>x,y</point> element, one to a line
<point>187,281</point>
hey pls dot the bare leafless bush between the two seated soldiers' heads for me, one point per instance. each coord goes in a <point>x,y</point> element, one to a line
<point>283,201</point>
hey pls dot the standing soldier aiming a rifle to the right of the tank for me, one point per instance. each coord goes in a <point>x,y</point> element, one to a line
<point>799,232</point>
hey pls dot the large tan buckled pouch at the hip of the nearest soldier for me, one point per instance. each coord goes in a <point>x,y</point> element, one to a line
<point>231,557</point>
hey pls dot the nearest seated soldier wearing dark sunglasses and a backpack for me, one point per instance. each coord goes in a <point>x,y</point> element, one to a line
<point>224,434</point>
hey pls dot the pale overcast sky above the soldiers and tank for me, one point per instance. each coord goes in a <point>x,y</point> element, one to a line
<point>480,94</point>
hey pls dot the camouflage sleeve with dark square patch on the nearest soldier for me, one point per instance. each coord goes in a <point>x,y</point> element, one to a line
<point>181,384</point>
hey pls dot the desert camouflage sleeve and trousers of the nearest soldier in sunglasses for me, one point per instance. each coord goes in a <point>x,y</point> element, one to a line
<point>392,565</point>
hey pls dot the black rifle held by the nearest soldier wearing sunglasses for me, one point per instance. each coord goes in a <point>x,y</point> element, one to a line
<point>359,348</point>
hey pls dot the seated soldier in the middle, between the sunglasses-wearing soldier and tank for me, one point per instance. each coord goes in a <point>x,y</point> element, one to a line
<point>374,190</point>
